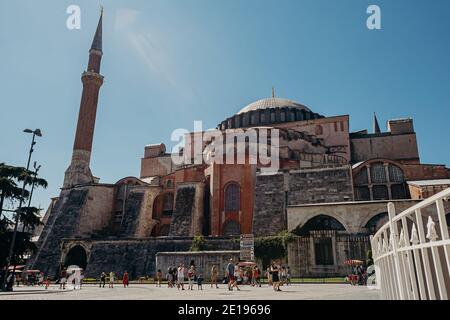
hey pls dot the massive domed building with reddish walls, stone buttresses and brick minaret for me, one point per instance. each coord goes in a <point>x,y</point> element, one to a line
<point>331,191</point>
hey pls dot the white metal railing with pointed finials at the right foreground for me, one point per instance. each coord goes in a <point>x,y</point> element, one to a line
<point>412,252</point>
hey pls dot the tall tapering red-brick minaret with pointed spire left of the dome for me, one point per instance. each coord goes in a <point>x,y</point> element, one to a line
<point>79,172</point>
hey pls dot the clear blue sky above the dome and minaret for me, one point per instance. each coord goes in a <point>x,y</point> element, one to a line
<point>169,62</point>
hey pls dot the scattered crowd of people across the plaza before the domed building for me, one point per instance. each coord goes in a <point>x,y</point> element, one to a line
<point>189,277</point>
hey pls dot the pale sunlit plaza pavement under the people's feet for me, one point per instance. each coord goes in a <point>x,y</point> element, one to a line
<point>151,292</point>
